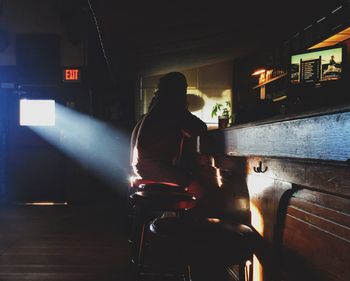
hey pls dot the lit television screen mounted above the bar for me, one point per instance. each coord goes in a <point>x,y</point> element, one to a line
<point>317,66</point>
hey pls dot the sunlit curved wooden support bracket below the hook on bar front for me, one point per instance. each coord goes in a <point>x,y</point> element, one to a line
<point>268,198</point>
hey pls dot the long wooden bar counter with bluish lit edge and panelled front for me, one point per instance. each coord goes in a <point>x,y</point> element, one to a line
<point>296,172</point>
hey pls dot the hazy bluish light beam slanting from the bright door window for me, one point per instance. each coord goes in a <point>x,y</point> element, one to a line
<point>92,143</point>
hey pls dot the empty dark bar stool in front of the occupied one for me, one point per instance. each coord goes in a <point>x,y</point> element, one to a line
<point>204,242</point>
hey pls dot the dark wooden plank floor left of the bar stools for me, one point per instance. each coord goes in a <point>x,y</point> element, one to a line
<point>63,243</point>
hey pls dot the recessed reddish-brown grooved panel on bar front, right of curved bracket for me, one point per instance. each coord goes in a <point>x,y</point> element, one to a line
<point>316,238</point>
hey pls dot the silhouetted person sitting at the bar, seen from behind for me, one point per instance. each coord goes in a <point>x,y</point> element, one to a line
<point>157,138</point>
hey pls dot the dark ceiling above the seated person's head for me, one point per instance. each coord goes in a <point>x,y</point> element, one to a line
<point>156,36</point>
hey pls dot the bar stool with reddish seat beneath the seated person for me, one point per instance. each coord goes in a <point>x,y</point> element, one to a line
<point>150,201</point>
